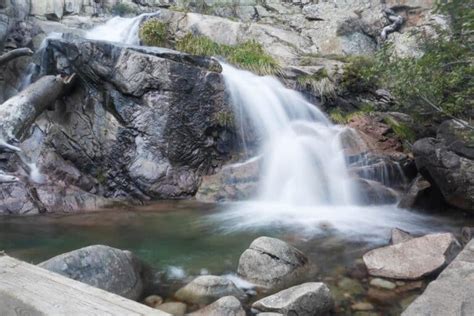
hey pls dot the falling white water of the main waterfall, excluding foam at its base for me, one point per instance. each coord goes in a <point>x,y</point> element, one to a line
<point>304,163</point>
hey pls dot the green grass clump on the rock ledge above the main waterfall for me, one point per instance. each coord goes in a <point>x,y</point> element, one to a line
<point>248,55</point>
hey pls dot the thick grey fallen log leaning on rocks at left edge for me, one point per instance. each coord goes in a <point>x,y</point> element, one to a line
<point>19,112</point>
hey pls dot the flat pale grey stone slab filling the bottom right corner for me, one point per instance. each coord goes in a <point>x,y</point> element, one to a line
<point>451,293</point>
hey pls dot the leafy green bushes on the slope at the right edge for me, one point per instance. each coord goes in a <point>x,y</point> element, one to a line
<point>438,82</point>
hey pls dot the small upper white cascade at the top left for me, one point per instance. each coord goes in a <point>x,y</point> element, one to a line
<point>118,29</point>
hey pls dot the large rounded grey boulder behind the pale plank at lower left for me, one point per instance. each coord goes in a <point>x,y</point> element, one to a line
<point>107,268</point>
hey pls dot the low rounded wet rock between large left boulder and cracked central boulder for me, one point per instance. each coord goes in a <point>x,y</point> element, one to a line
<point>207,289</point>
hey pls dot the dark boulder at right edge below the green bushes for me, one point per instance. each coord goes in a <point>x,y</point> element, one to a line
<point>447,161</point>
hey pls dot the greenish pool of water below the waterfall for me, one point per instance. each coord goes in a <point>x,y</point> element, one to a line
<point>185,238</point>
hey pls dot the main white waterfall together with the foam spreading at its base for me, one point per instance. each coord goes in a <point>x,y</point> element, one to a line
<point>305,184</point>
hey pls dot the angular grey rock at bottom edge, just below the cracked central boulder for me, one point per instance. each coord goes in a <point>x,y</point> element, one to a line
<point>307,299</point>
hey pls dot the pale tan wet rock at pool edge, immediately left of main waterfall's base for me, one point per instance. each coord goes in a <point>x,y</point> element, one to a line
<point>232,183</point>
